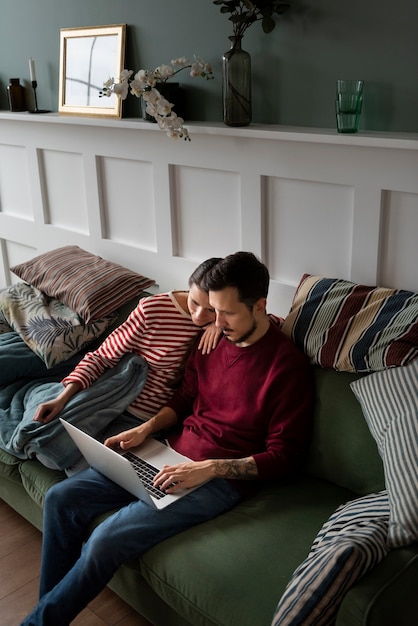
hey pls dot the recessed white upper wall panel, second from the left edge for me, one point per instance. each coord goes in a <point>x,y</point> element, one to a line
<point>64,190</point>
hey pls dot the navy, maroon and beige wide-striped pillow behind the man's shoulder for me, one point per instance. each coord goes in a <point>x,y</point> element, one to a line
<point>351,327</point>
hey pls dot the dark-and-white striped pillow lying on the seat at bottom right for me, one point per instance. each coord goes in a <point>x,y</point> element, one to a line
<point>350,543</point>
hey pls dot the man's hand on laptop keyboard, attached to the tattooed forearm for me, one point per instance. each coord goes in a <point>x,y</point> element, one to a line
<point>183,476</point>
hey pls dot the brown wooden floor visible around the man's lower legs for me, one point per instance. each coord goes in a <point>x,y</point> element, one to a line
<point>20,552</point>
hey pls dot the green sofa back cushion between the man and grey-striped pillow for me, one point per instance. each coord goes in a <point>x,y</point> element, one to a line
<point>342,449</point>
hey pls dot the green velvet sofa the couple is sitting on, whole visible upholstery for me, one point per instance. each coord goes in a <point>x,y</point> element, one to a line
<point>232,571</point>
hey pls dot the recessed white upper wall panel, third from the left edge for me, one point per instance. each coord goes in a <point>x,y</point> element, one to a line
<point>128,205</point>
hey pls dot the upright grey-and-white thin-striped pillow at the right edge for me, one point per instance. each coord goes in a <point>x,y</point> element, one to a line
<point>389,401</point>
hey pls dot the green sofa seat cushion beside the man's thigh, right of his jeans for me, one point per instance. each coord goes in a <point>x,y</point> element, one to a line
<point>245,557</point>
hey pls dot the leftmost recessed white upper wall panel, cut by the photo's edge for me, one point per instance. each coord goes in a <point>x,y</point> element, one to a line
<point>15,195</point>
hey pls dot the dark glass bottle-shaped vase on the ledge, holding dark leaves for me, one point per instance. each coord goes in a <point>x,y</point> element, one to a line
<point>236,85</point>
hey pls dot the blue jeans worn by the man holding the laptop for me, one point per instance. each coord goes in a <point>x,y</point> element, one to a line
<point>73,574</point>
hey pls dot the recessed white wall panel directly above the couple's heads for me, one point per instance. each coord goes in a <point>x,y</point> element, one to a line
<point>206,212</point>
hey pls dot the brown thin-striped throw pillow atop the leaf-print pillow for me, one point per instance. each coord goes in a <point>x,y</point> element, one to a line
<point>86,283</point>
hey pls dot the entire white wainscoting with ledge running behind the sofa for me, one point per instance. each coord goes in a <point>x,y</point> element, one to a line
<point>303,200</point>
